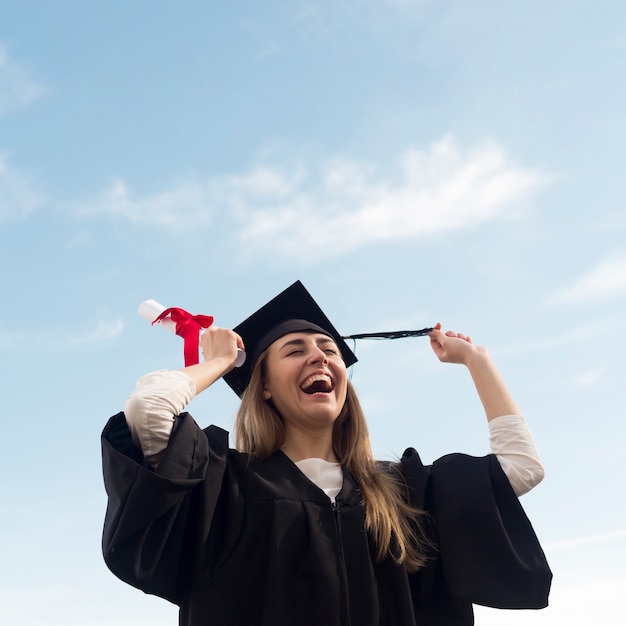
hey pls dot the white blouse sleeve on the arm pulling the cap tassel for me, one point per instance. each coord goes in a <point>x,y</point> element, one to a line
<point>512,442</point>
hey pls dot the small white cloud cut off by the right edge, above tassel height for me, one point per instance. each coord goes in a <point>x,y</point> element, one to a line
<point>608,280</point>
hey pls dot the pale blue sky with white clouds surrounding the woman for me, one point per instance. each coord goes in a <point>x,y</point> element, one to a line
<point>409,161</point>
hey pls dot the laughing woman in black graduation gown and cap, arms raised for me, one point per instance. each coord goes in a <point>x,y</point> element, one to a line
<point>299,525</point>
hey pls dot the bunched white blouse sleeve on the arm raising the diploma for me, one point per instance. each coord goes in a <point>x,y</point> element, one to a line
<point>151,408</point>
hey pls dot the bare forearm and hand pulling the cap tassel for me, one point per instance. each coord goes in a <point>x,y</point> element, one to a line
<point>451,347</point>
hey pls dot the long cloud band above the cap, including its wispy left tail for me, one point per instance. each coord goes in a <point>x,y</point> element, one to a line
<point>341,204</point>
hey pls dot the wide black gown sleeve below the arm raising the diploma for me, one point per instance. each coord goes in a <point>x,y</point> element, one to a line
<point>149,536</point>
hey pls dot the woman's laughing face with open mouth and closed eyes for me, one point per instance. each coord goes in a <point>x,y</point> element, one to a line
<point>306,380</point>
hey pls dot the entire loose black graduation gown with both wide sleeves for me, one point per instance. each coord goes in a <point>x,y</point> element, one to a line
<point>238,541</point>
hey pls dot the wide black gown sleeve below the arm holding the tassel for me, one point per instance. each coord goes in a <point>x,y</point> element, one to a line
<point>488,552</point>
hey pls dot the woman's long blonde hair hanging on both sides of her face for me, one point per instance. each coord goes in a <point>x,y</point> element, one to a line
<point>395,526</point>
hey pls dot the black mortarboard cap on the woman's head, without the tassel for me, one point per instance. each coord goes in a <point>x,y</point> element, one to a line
<point>293,310</point>
